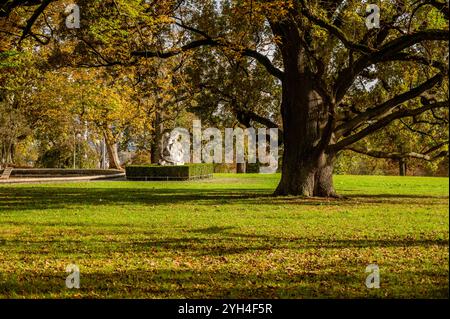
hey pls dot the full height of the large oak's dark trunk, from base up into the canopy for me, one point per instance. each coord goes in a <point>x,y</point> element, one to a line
<point>306,169</point>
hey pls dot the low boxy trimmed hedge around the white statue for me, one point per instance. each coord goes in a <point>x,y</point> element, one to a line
<point>158,172</point>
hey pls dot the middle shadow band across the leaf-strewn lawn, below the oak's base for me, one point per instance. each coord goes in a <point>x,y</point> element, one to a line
<point>211,241</point>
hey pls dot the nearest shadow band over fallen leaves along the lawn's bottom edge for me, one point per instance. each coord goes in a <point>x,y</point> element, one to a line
<point>220,283</point>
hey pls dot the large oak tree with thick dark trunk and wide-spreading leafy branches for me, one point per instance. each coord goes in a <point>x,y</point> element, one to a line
<point>321,52</point>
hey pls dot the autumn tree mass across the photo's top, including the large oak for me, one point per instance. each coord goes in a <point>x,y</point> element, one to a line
<point>345,98</point>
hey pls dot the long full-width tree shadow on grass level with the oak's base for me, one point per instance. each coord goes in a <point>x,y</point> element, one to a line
<point>31,198</point>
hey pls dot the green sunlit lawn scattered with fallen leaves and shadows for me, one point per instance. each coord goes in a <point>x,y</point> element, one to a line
<point>225,238</point>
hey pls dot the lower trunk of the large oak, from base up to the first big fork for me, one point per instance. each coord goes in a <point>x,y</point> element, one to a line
<point>306,170</point>
